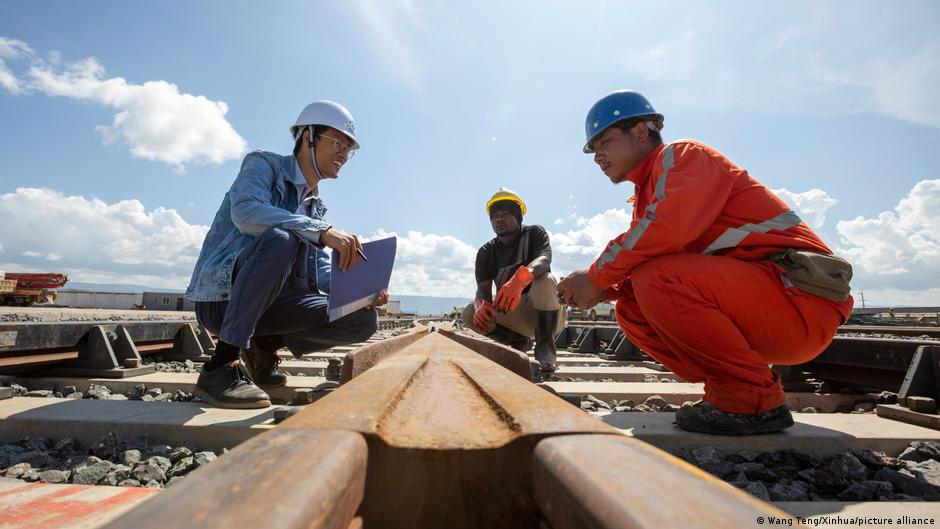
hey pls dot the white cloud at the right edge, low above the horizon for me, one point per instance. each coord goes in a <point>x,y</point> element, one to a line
<point>897,250</point>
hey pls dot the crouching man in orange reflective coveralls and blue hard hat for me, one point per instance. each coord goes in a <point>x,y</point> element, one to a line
<point>692,276</point>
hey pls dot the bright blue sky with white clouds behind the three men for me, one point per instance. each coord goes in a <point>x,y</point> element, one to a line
<point>116,181</point>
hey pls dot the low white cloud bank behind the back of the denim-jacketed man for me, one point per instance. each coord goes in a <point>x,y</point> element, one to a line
<point>90,239</point>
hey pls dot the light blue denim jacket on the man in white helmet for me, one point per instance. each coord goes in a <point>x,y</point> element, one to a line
<point>261,197</point>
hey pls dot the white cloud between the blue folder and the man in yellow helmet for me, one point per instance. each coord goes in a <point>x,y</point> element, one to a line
<point>432,265</point>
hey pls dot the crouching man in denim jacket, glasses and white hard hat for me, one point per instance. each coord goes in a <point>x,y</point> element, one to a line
<point>262,279</point>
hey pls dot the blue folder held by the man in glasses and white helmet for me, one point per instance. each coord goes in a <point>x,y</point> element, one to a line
<point>360,285</point>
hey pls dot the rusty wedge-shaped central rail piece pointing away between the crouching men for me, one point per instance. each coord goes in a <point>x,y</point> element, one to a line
<point>436,393</point>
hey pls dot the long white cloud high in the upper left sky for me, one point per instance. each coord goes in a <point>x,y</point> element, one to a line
<point>155,119</point>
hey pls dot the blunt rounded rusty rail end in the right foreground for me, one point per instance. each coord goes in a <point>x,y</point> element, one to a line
<point>616,482</point>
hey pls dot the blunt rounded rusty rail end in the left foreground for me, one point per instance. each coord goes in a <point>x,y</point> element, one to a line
<point>284,479</point>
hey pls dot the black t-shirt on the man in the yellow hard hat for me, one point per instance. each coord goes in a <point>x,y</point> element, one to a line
<point>498,262</point>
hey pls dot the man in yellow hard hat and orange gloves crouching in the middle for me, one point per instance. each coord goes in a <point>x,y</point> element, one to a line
<point>519,261</point>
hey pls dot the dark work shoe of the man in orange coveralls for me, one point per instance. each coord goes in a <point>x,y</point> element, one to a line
<point>705,417</point>
